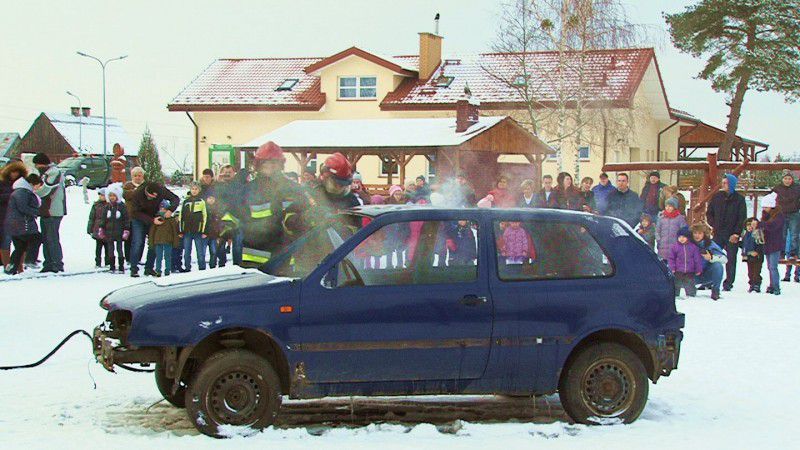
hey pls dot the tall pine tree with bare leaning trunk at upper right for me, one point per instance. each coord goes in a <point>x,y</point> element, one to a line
<point>748,44</point>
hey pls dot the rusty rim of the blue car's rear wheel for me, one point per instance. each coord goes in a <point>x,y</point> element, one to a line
<point>607,388</point>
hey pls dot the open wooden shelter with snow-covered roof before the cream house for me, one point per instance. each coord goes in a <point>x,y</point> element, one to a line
<point>475,150</point>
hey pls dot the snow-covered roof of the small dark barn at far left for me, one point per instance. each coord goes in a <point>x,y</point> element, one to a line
<point>85,134</point>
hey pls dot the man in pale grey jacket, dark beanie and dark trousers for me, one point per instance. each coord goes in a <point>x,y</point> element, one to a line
<point>52,211</point>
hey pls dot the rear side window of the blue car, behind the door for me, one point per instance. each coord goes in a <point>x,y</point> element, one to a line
<point>538,250</point>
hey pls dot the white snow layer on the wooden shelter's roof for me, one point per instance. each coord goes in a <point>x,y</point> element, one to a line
<point>373,133</point>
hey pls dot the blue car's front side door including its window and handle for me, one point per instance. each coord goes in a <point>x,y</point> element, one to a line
<point>403,304</point>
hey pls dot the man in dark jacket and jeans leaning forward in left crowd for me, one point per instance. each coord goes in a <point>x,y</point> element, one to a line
<point>144,204</point>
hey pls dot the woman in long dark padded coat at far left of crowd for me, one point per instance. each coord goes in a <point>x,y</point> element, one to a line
<point>20,221</point>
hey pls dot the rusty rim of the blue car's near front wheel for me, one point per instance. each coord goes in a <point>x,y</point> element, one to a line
<point>238,397</point>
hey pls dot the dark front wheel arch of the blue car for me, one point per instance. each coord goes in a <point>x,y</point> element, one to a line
<point>256,340</point>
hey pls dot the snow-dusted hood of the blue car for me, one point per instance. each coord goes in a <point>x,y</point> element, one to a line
<point>189,285</point>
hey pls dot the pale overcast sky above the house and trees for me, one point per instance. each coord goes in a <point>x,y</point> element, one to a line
<point>169,42</point>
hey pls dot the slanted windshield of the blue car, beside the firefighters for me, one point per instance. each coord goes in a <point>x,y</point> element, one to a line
<point>303,255</point>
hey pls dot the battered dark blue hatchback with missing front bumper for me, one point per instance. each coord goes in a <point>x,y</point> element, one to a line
<point>405,300</point>
